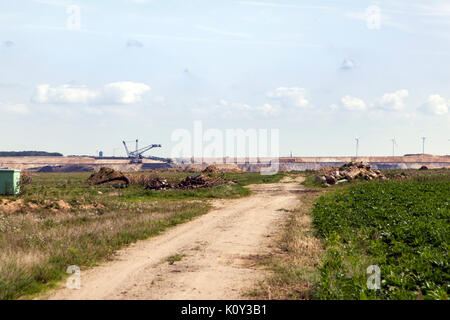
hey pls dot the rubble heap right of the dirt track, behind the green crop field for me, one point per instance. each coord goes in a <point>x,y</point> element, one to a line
<point>350,171</point>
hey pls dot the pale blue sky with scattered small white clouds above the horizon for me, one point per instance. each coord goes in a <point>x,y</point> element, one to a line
<point>80,76</point>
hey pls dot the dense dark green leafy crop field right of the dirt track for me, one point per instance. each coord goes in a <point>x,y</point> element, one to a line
<point>401,226</point>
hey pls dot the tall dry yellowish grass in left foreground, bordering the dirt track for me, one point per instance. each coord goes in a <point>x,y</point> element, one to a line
<point>36,248</point>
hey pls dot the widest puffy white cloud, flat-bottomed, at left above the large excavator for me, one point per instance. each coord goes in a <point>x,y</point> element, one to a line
<point>125,92</point>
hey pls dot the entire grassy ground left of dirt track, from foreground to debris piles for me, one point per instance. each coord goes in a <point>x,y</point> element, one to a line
<point>62,221</point>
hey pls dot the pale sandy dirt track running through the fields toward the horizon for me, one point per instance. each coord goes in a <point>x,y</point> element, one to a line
<point>217,252</point>
